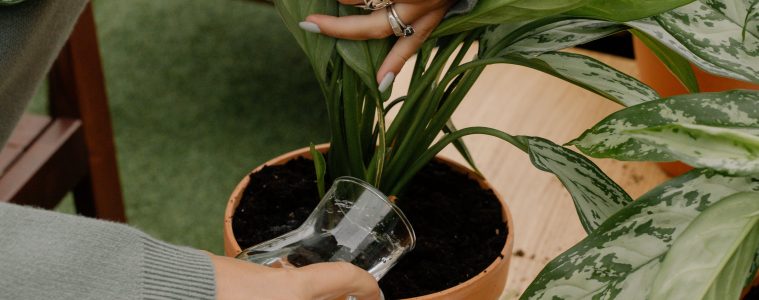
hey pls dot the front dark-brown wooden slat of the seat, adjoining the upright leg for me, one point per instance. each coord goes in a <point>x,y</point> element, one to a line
<point>54,163</point>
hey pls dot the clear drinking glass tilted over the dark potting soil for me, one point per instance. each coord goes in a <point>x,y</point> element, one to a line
<point>354,223</point>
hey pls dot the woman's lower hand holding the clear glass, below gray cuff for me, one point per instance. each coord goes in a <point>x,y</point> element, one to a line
<point>237,279</point>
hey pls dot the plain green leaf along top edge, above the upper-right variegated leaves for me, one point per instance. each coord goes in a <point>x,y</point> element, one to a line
<point>626,10</point>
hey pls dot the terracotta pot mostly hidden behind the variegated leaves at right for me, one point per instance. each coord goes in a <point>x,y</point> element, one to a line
<point>656,75</point>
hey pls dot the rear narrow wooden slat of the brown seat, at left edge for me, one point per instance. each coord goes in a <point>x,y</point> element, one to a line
<point>27,130</point>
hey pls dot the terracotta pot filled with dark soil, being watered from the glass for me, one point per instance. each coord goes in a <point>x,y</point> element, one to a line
<point>487,285</point>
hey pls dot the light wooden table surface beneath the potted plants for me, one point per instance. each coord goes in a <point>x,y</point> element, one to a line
<point>522,101</point>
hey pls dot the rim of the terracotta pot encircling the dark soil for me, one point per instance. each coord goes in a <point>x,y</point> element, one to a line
<point>503,258</point>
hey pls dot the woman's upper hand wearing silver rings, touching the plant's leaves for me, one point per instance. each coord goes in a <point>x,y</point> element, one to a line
<point>422,15</point>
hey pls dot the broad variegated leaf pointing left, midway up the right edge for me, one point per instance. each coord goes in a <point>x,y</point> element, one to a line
<point>716,130</point>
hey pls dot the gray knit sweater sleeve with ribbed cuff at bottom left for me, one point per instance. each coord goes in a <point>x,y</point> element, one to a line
<point>48,255</point>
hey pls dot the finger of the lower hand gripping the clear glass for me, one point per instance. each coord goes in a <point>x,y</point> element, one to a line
<point>333,280</point>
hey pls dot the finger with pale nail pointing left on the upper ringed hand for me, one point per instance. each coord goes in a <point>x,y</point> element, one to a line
<point>365,27</point>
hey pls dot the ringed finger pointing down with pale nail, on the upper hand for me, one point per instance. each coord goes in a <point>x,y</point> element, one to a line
<point>406,47</point>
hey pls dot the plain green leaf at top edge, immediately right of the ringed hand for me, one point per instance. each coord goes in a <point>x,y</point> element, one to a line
<point>488,12</point>
